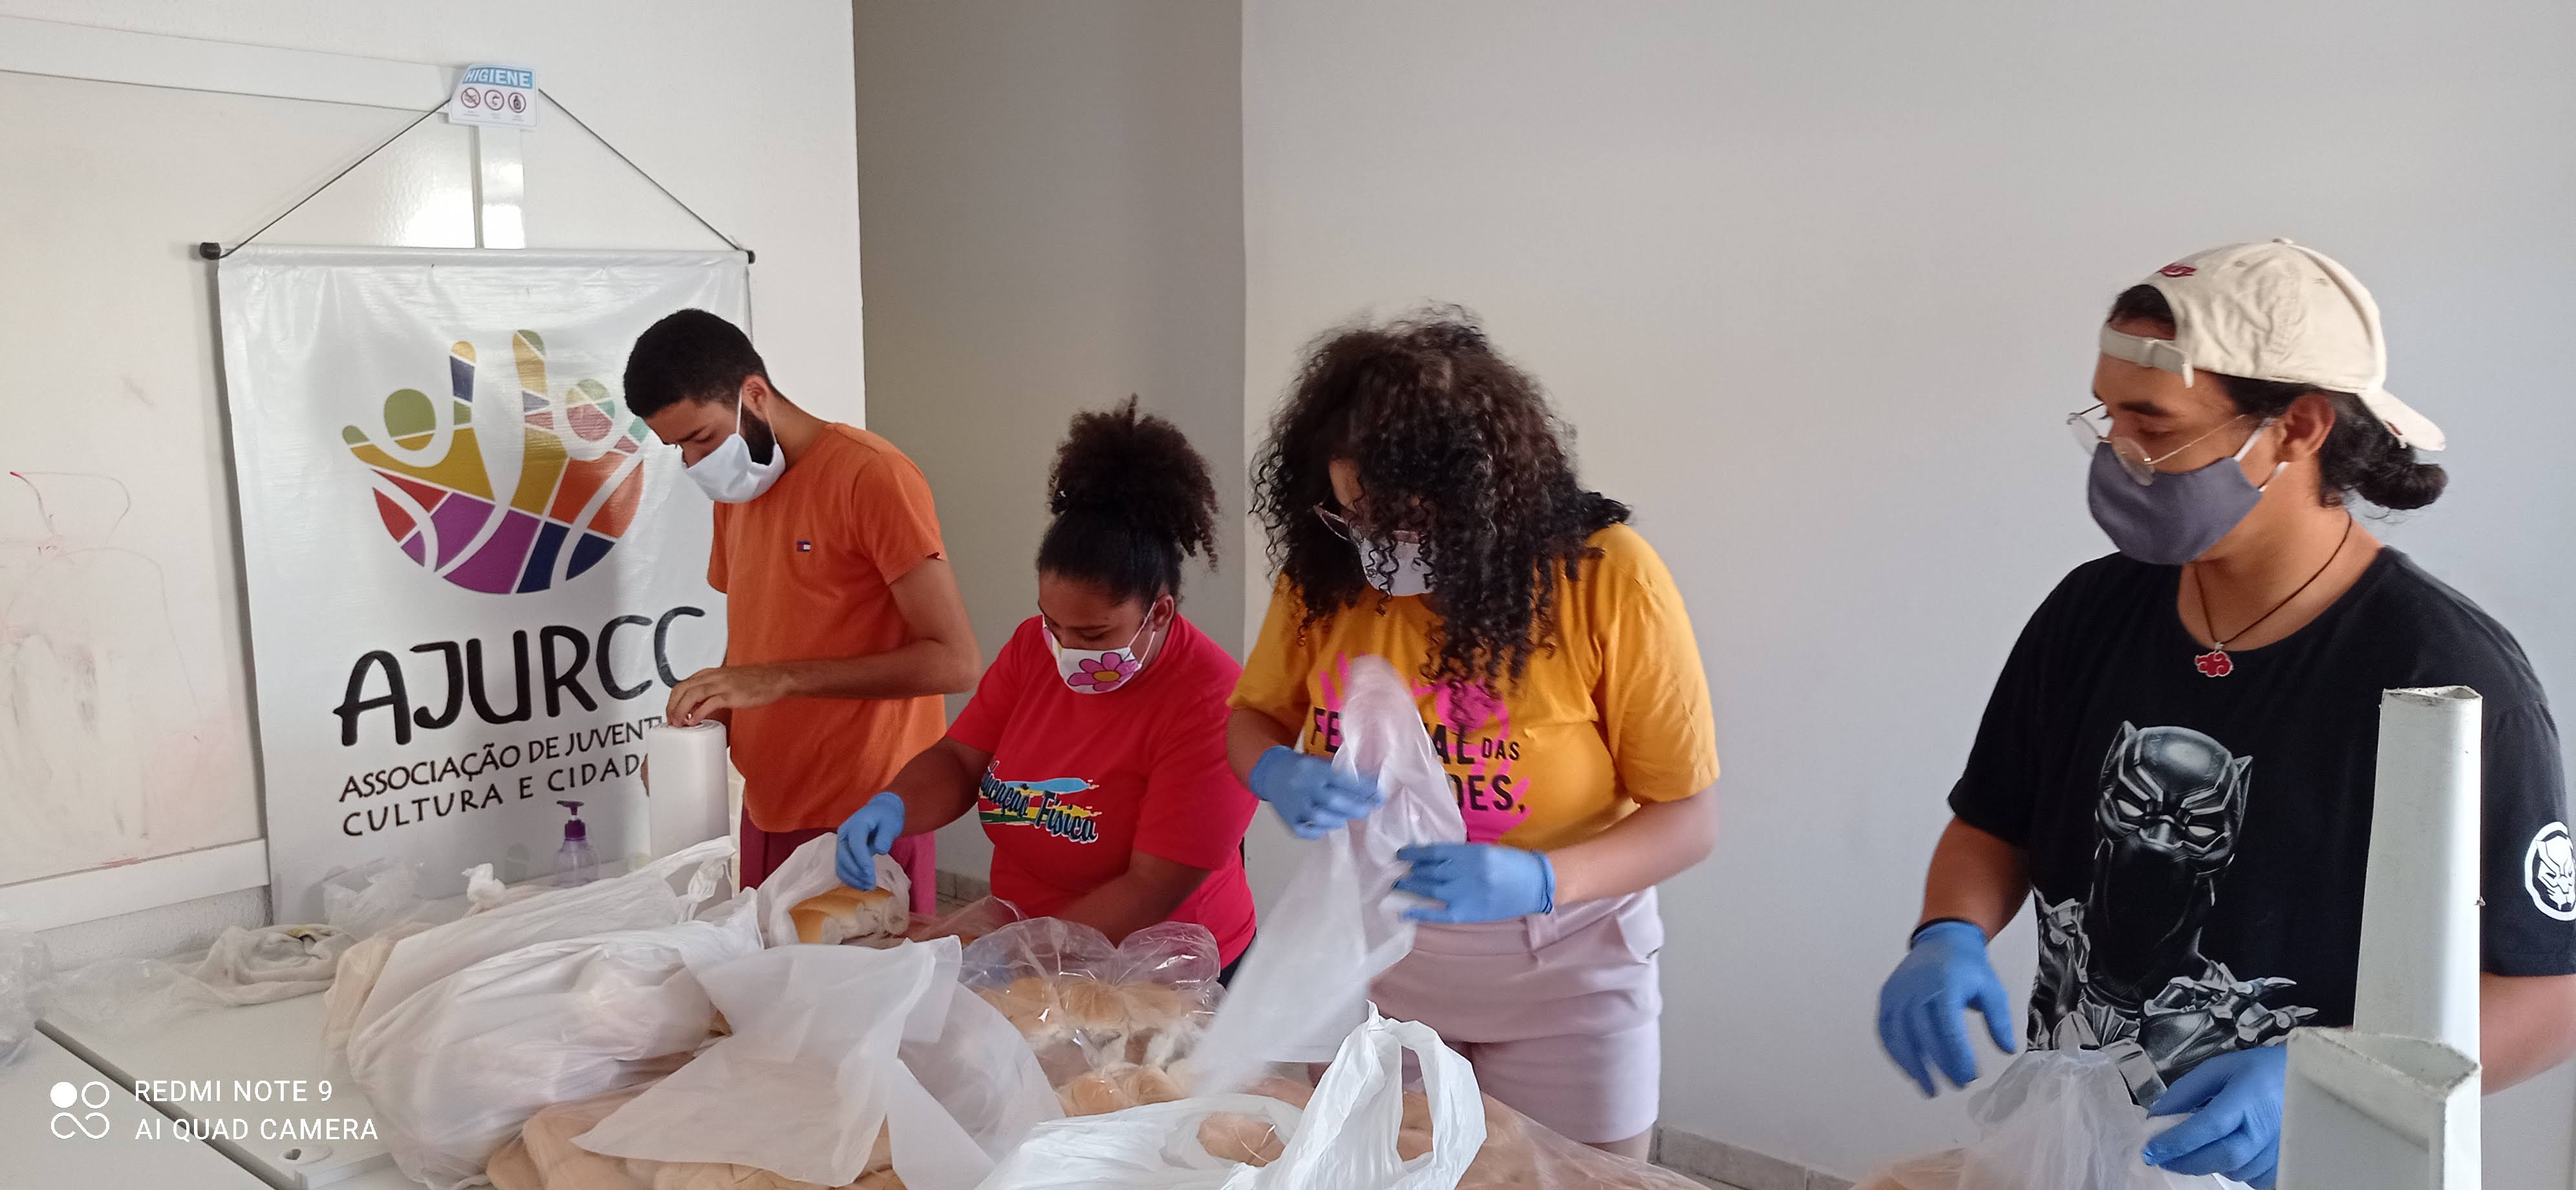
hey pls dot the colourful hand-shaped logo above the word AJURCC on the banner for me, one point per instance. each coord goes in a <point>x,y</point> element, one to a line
<point>581,478</point>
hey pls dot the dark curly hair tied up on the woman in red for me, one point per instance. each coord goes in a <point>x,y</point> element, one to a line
<point>1130,501</point>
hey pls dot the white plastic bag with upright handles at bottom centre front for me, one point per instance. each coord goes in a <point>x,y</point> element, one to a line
<point>1346,1140</point>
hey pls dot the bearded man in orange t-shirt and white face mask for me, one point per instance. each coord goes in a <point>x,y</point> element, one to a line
<point>844,619</point>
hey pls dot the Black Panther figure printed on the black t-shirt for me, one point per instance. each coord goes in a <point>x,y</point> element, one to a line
<point>2121,967</point>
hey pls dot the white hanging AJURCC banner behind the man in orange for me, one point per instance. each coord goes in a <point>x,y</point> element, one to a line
<point>475,576</point>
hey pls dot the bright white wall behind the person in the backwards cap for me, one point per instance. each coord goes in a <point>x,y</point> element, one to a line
<point>1817,285</point>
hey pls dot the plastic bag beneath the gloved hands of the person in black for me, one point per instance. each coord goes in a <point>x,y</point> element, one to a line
<point>2049,1122</point>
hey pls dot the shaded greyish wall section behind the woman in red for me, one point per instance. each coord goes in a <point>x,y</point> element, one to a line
<point>1063,205</point>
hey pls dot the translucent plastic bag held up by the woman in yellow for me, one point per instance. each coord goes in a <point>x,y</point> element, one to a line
<point>1305,983</point>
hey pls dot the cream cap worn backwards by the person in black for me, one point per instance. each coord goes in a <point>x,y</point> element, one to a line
<point>2276,313</point>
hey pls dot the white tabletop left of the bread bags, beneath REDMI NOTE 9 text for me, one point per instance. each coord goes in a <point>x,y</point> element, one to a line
<point>251,1044</point>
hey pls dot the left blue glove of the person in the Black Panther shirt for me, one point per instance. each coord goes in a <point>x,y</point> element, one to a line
<point>1926,1003</point>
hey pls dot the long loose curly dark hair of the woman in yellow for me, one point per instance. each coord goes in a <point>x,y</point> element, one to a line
<point>1452,444</point>
